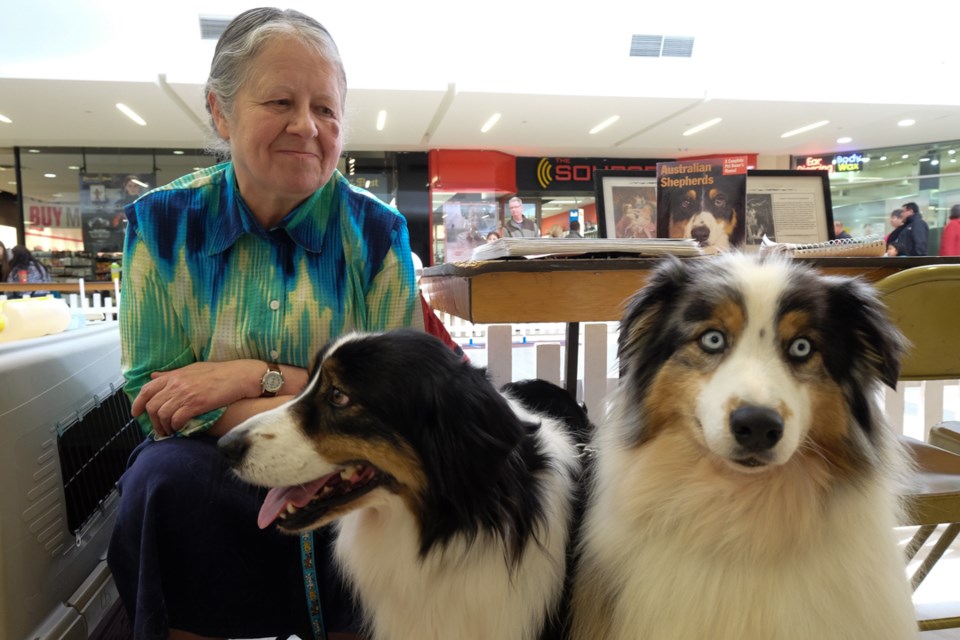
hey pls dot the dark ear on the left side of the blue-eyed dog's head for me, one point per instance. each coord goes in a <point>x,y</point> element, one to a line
<point>645,340</point>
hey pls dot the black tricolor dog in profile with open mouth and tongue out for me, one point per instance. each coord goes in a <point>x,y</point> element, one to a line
<point>453,501</point>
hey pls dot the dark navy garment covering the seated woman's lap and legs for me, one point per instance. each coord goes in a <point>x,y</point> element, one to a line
<point>186,552</point>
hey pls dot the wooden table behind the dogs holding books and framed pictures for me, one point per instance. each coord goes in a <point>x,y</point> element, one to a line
<point>575,290</point>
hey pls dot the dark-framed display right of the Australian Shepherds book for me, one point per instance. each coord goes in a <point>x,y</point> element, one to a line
<point>788,207</point>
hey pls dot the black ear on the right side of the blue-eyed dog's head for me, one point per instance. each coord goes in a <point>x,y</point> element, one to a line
<point>872,340</point>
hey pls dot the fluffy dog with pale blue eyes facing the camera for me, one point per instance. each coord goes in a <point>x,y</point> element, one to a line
<point>745,482</point>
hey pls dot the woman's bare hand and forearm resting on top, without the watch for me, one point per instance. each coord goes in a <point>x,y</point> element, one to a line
<point>171,398</point>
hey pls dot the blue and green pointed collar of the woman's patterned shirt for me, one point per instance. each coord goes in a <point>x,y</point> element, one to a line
<point>305,225</point>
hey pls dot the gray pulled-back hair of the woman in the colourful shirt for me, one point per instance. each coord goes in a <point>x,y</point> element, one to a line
<point>243,39</point>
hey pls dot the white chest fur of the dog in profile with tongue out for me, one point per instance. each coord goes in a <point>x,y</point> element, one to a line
<point>462,590</point>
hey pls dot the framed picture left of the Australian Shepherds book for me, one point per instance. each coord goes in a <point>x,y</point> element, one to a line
<point>626,203</point>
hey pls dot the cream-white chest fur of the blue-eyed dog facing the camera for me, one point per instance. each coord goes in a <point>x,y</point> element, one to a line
<point>686,563</point>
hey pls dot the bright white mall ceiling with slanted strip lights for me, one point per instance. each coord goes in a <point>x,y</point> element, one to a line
<point>440,71</point>
